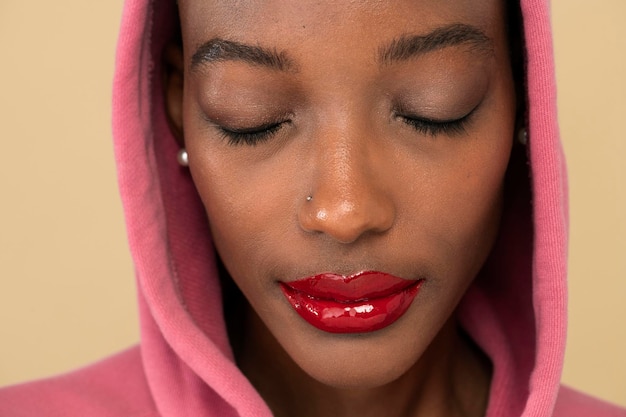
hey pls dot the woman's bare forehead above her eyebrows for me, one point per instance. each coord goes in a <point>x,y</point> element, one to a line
<point>297,22</point>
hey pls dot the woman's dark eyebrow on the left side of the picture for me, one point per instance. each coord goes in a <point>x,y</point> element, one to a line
<point>221,50</point>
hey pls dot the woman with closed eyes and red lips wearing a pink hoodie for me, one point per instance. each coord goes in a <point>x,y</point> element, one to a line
<point>360,170</point>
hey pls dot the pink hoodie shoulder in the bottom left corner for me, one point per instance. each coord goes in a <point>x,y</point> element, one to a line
<point>115,386</point>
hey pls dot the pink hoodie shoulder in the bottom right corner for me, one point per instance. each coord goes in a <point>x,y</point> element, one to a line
<point>572,403</point>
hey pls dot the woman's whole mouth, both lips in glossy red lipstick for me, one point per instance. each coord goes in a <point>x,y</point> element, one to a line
<point>359,303</point>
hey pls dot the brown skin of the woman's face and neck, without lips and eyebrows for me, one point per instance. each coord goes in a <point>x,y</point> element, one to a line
<point>386,196</point>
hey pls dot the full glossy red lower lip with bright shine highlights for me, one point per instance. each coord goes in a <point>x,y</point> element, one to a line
<point>346,316</point>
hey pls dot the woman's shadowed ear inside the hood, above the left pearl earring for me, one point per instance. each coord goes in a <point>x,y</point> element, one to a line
<point>173,78</point>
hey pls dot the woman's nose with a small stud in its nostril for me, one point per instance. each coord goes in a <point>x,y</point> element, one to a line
<point>348,199</point>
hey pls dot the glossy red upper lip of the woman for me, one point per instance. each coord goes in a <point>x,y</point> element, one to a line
<point>364,285</point>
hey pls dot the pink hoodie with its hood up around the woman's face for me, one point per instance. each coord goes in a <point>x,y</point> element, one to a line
<point>184,365</point>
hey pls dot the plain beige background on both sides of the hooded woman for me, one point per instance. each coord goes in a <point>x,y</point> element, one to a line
<point>66,280</point>
